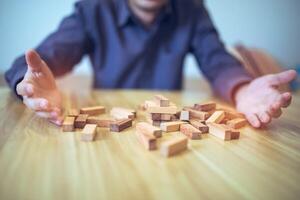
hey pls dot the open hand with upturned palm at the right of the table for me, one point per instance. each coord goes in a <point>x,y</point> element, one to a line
<point>260,100</point>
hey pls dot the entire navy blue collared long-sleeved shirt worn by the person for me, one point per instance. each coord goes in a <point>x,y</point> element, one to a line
<point>125,54</point>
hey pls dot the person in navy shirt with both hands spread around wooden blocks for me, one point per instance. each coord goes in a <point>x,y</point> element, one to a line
<point>142,44</point>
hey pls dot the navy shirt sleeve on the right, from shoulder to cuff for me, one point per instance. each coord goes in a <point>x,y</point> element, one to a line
<point>224,72</point>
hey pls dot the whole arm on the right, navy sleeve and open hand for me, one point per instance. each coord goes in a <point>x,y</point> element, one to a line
<point>258,99</point>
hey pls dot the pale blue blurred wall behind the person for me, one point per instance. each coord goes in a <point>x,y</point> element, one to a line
<point>272,25</point>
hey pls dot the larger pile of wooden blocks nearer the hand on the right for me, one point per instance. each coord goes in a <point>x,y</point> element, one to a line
<point>192,122</point>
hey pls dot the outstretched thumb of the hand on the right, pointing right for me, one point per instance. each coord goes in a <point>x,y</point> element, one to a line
<point>282,77</point>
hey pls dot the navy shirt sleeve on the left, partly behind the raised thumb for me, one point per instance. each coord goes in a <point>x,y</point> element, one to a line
<point>61,50</point>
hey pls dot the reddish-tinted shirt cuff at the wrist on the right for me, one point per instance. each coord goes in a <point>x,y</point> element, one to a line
<point>229,80</point>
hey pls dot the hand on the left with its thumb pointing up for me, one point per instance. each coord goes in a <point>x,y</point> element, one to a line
<point>39,90</point>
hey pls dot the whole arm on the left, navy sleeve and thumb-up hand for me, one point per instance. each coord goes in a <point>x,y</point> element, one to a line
<point>32,76</point>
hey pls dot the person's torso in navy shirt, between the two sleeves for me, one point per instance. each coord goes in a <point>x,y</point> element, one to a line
<point>126,55</point>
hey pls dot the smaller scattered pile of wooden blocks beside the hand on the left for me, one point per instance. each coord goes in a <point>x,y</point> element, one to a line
<point>87,120</point>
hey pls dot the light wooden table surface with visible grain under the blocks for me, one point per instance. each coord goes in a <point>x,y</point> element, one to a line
<point>38,161</point>
